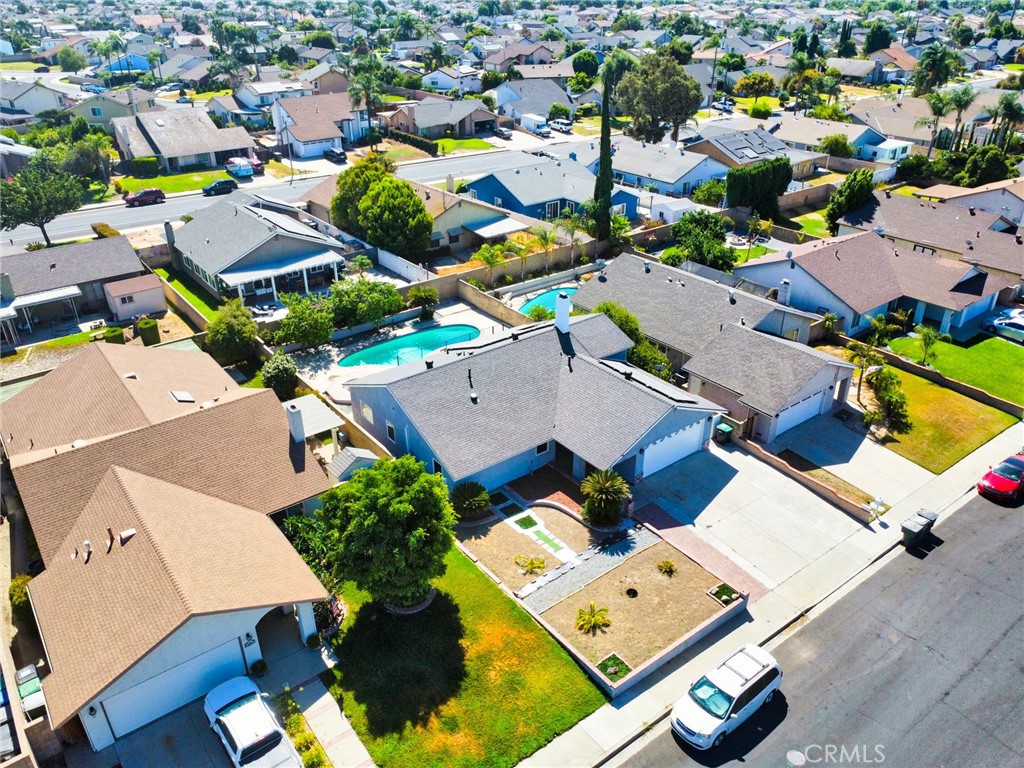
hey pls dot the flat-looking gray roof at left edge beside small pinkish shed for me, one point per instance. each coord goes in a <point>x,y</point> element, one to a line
<point>71,266</point>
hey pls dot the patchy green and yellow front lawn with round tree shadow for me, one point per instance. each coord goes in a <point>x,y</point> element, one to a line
<point>472,681</point>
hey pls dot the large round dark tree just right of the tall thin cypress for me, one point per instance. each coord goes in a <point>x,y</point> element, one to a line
<point>658,93</point>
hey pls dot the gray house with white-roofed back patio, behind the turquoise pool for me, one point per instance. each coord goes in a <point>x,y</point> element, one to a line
<point>247,247</point>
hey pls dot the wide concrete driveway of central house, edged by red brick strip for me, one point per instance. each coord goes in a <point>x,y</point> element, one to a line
<point>765,523</point>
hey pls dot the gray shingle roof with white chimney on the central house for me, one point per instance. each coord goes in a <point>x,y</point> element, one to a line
<point>539,388</point>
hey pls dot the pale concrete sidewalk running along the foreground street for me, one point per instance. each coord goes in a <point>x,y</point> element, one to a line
<point>615,726</point>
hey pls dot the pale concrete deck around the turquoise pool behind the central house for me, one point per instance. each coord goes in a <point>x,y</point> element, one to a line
<point>320,367</point>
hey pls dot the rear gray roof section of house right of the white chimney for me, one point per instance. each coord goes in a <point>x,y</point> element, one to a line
<point>685,314</point>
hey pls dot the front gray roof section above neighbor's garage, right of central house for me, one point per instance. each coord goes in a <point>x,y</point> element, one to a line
<point>765,371</point>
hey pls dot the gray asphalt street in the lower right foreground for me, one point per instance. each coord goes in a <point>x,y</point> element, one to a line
<point>921,666</point>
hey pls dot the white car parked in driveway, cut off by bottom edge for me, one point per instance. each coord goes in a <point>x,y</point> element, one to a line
<point>240,716</point>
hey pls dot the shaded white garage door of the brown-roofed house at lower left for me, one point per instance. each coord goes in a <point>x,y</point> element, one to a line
<point>175,689</point>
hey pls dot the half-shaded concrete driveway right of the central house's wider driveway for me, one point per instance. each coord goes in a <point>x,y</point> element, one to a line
<point>850,456</point>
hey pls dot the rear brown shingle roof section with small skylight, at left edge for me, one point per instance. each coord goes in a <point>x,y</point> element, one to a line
<point>90,398</point>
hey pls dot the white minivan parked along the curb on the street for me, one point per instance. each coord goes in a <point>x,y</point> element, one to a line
<point>721,701</point>
